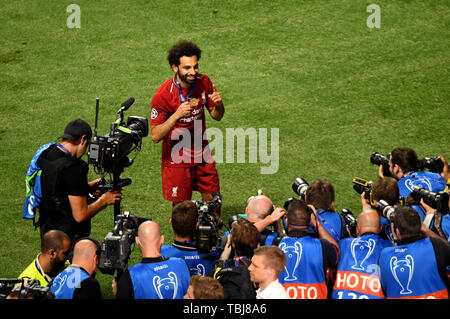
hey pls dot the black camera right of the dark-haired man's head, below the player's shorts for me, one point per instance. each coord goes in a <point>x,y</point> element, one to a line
<point>206,236</point>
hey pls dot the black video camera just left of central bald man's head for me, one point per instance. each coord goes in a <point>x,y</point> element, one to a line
<point>116,247</point>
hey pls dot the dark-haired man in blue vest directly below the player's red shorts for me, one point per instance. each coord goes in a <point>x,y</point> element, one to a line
<point>184,222</point>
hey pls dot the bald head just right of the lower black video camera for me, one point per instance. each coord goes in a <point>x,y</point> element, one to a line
<point>149,239</point>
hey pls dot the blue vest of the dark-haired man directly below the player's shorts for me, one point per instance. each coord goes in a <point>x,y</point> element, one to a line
<point>199,263</point>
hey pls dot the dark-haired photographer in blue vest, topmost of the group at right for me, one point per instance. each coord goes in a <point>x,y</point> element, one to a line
<point>405,167</point>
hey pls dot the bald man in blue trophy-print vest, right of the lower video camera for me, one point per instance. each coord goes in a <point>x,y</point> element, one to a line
<point>155,277</point>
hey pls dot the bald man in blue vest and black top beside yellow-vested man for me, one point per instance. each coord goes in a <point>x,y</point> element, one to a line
<point>78,280</point>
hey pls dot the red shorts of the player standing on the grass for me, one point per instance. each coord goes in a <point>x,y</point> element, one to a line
<point>179,182</point>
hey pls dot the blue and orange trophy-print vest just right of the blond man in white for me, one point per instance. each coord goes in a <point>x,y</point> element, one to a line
<point>303,276</point>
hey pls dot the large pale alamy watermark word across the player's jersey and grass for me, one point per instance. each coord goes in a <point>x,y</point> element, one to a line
<point>234,138</point>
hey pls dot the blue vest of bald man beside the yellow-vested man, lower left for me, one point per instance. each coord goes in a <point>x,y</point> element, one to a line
<point>67,281</point>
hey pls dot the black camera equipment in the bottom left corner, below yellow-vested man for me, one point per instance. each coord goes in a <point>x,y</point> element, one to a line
<point>28,289</point>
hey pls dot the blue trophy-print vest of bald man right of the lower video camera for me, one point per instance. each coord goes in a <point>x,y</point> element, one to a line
<point>168,279</point>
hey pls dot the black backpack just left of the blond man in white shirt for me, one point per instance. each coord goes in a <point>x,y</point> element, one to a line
<point>235,281</point>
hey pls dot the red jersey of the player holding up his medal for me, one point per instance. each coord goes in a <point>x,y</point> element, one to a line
<point>184,146</point>
